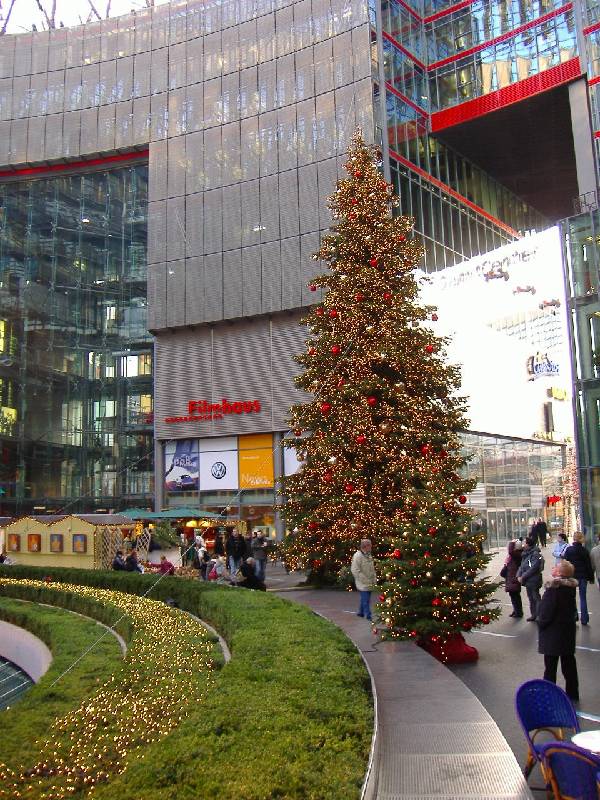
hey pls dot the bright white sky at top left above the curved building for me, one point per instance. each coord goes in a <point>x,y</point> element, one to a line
<point>26,12</point>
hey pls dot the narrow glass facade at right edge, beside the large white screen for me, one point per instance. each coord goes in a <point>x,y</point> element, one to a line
<point>582,257</point>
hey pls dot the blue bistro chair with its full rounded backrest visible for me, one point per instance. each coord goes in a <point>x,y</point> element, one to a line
<point>543,706</point>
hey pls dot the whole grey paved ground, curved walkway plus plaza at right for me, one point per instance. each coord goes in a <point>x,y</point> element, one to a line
<point>451,732</point>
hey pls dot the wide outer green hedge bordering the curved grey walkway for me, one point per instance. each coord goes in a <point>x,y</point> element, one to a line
<point>290,716</point>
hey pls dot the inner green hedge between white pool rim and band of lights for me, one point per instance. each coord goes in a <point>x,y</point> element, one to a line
<point>67,636</point>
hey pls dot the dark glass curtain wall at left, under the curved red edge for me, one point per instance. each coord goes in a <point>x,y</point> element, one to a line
<point>75,355</point>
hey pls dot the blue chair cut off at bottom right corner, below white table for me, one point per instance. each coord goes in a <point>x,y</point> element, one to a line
<point>572,771</point>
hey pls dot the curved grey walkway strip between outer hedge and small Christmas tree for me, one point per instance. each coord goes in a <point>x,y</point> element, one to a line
<point>433,737</point>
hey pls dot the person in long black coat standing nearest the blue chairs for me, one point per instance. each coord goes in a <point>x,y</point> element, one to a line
<point>556,622</point>
